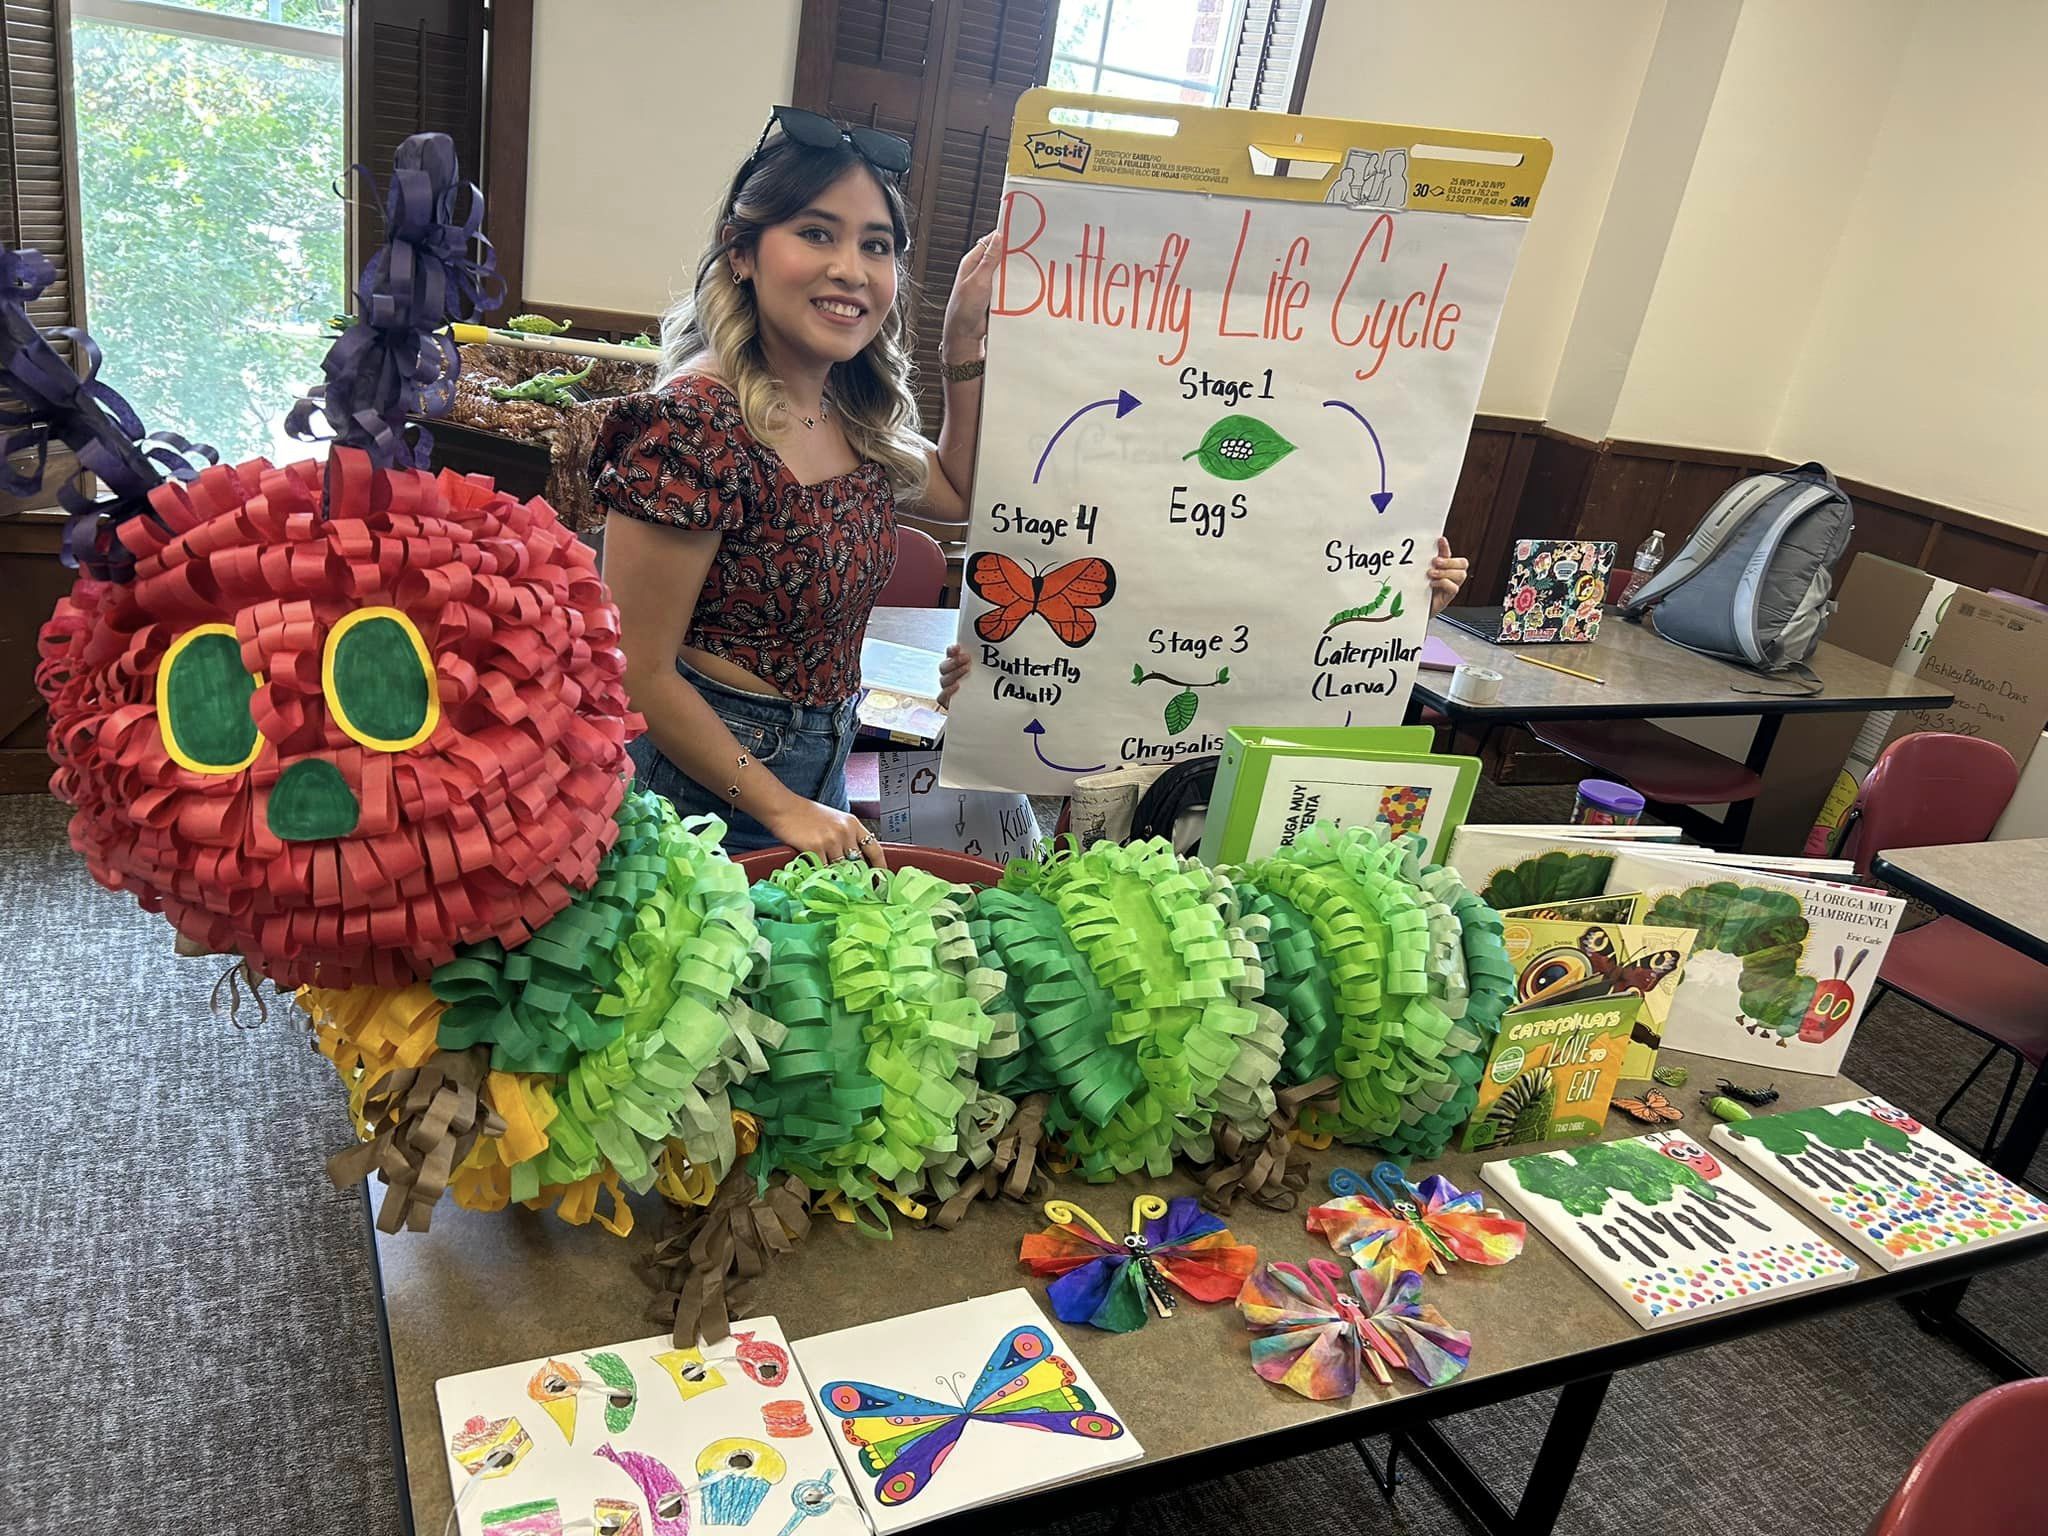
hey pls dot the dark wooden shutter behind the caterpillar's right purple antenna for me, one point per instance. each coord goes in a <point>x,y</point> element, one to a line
<point>417,69</point>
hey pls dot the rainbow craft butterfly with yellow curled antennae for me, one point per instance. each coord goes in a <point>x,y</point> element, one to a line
<point>1107,1283</point>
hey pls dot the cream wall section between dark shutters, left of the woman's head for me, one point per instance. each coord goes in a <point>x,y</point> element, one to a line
<point>642,112</point>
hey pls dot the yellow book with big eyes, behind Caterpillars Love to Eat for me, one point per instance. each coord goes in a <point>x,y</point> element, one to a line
<point>1580,962</point>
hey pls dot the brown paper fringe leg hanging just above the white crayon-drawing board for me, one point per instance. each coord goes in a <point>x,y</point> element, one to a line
<point>701,1269</point>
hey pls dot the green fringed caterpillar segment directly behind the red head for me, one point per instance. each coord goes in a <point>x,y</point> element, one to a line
<point>630,1002</point>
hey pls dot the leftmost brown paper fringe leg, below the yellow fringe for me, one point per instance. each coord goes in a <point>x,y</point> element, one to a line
<point>427,1121</point>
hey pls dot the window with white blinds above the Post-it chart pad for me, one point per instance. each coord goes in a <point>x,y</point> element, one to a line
<point>1201,52</point>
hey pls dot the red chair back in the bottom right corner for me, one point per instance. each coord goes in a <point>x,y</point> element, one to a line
<point>1981,1471</point>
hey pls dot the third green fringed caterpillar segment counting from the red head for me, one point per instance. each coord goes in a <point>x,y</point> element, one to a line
<point>1140,996</point>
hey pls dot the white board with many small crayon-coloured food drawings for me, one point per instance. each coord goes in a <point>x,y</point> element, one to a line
<point>646,1441</point>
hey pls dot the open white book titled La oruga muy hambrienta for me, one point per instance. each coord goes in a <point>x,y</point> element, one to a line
<point>1781,970</point>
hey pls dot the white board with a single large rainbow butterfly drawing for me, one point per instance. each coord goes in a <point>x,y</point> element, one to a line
<point>957,1408</point>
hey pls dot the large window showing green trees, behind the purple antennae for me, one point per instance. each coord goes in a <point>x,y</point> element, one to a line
<point>210,144</point>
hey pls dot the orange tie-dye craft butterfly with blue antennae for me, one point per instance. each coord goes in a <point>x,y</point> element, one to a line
<point>1394,1226</point>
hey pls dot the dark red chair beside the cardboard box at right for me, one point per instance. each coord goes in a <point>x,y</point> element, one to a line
<point>1945,790</point>
